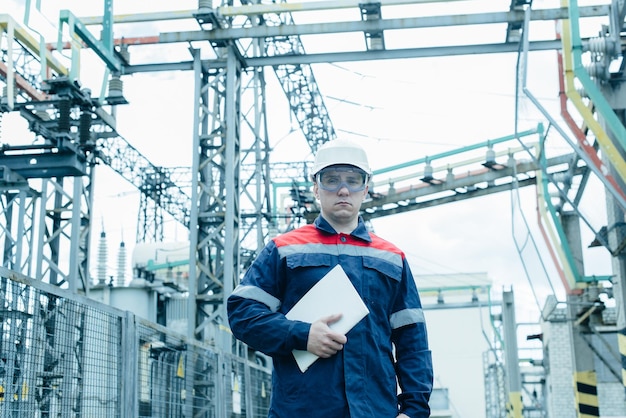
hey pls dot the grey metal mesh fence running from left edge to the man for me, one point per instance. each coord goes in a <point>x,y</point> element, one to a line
<point>64,355</point>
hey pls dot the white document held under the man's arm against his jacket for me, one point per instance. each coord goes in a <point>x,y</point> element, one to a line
<point>334,293</point>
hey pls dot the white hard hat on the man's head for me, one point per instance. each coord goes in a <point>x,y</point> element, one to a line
<point>340,151</point>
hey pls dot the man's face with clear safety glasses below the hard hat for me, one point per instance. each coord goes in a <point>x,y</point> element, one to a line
<point>341,190</point>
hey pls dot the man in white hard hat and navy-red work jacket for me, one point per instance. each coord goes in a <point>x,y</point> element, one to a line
<point>358,374</point>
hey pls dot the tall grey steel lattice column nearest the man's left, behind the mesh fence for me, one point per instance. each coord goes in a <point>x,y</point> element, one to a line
<point>214,224</point>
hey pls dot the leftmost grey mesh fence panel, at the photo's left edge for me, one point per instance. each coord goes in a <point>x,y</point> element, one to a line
<point>59,356</point>
